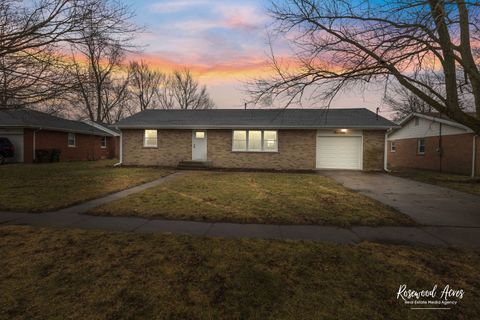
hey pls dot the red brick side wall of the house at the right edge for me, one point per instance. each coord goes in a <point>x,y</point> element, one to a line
<point>456,156</point>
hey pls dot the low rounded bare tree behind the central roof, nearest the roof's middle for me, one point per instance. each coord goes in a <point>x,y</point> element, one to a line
<point>182,91</point>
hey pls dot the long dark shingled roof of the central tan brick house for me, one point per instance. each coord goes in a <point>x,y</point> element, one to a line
<point>256,118</point>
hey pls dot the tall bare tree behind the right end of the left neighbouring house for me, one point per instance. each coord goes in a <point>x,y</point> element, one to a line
<point>97,59</point>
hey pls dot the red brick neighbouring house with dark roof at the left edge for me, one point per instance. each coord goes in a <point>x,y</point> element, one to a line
<point>30,131</point>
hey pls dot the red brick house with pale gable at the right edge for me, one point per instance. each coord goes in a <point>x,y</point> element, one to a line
<point>434,142</point>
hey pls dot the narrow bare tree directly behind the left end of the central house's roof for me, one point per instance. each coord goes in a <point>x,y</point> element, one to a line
<point>145,84</point>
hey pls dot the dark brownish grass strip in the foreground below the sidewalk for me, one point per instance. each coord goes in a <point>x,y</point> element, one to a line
<point>55,274</point>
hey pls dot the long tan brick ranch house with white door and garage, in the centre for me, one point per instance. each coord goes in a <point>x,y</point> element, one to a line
<point>279,139</point>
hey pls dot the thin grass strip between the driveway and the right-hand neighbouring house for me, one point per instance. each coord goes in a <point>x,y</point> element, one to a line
<point>453,181</point>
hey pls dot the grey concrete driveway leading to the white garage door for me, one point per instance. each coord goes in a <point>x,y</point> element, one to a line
<point>427,204</point>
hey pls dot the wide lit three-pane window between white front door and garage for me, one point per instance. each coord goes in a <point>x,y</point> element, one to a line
<point>255,140</point>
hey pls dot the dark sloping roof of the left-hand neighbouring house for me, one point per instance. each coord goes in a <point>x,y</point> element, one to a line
<point>23,118</point>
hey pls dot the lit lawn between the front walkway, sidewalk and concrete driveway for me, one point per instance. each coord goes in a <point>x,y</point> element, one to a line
<point>256,198</point>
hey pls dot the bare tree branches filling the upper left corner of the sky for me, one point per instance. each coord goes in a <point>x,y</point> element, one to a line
<point>31,35</point>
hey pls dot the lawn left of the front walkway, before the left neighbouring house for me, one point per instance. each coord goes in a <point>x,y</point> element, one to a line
<point>45,187</point>
